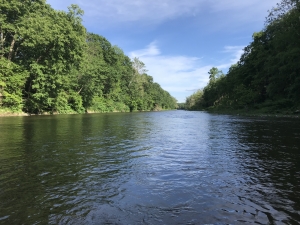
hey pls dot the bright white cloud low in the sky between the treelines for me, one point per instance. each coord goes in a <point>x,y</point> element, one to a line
<point>178,74</point>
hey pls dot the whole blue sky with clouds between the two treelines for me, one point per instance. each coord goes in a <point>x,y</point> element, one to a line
<point>179,41</point>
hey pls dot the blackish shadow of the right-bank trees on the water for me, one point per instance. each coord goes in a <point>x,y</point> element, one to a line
<point>272,161</point>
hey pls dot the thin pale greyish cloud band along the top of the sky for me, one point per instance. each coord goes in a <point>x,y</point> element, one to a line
<point>144,11</point>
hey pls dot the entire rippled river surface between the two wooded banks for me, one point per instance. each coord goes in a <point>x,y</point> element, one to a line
<point>173,167</point>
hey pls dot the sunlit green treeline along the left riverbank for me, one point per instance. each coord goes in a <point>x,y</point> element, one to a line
<point>50,63</point>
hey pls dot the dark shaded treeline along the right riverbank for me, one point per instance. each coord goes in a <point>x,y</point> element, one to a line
<point>267,76</point>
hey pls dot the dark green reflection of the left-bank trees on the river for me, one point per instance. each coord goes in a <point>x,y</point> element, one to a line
<point>51,163</point>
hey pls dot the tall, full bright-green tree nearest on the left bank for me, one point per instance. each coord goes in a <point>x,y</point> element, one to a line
<point>45,42</point>
